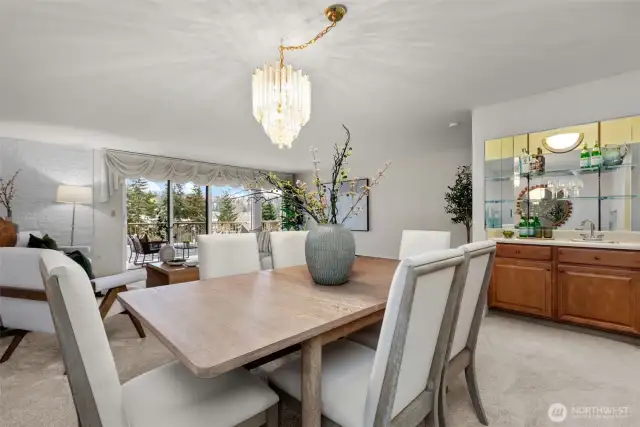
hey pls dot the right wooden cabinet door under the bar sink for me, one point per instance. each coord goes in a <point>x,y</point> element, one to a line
<point>605,298</point>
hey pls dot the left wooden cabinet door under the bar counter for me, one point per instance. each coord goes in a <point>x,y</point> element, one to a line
<point>522,286</point>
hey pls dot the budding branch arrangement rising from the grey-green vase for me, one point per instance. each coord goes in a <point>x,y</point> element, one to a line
<point>321,204</point>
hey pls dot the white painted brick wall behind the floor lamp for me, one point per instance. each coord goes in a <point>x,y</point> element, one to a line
<point>43,167</point>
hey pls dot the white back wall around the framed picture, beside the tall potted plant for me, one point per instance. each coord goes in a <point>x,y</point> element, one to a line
<point>411,195</point>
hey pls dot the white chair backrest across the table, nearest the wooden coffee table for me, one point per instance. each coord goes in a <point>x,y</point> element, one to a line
<point>227,254</point>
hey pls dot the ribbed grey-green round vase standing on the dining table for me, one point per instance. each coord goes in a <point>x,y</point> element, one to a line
<point>330,251</point>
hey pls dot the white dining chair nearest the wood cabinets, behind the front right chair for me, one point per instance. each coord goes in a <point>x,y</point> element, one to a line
<point>481,256</point>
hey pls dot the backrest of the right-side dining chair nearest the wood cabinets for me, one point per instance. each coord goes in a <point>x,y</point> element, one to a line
<point>481,256</point>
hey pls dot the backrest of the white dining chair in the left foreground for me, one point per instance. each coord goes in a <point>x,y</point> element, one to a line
<point>91,370</point>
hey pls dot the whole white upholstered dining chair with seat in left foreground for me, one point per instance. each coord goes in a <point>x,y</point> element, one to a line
<point>168,396</point>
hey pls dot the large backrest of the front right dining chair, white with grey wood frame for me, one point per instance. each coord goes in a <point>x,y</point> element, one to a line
<point>416,332</point>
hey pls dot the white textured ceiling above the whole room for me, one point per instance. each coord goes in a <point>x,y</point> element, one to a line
<point>173,77</point>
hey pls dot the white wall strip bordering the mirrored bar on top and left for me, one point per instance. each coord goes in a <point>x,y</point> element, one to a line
<point>609,98</point>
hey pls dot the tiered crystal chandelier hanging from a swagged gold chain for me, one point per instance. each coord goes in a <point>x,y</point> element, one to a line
<point>282,95</point>
